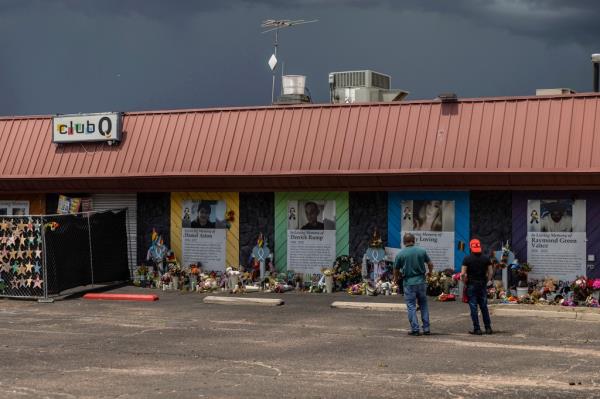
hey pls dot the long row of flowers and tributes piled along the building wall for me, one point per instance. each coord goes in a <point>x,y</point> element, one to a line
<point>346,275</point>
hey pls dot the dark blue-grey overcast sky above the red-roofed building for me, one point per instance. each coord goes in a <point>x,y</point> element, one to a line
<point>73,56</point>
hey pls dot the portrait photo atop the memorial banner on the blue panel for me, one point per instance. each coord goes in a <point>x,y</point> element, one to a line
<point>427,215</point>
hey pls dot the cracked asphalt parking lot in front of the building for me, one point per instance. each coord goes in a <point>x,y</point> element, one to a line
<point>180,347</point>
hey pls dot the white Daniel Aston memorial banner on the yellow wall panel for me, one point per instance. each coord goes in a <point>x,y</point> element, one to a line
<point>204,234</point>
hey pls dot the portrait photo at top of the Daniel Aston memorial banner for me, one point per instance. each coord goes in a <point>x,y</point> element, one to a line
<point>203,214</point>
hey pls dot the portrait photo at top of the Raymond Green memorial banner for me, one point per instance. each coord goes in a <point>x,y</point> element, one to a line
<point>556,216</point>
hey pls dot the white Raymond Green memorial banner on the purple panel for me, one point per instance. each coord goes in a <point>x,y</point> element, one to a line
<point>556,238</point>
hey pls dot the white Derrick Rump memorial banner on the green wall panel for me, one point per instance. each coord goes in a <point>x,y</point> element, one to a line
<point>311,235</point>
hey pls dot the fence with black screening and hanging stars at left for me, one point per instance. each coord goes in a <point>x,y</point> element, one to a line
<point>42,256</point>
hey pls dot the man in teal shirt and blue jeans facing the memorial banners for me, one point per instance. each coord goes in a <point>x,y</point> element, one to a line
<point>411,261</point>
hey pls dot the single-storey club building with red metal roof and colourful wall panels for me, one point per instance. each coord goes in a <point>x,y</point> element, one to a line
<point>483,162</point>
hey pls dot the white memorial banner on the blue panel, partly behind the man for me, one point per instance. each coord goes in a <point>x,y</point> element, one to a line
<point>432,224</point>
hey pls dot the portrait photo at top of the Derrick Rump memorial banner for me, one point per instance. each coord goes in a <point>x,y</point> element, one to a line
<point>311,215</point>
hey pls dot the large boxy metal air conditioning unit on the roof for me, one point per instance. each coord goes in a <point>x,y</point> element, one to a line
<point>362,87</point>
